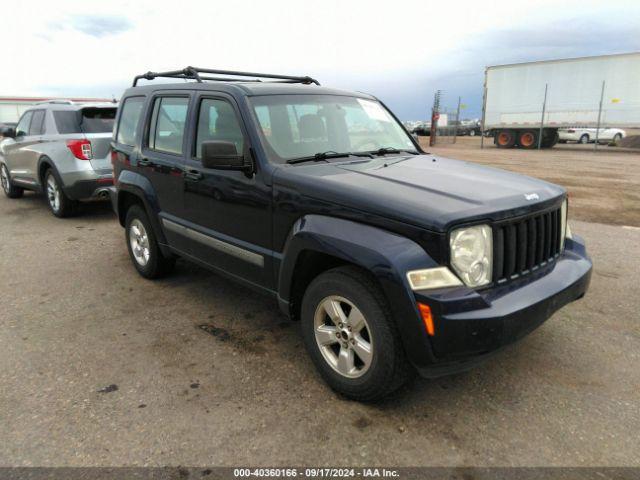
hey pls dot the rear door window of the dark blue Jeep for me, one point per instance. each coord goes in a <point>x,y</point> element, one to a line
<point>168,120</point>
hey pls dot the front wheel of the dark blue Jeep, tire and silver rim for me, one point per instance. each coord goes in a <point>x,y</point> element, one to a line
<point>351,335</point>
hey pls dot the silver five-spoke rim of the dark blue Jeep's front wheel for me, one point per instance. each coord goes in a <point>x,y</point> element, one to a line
<point>343,336</point>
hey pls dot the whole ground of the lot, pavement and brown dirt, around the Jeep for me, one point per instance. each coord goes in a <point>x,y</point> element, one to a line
<point>101,367</point>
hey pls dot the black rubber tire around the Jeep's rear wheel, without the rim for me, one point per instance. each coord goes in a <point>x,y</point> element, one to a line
<point>157,265</point>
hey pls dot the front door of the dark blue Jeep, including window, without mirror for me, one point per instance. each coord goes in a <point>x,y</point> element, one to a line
<point>229,211</point>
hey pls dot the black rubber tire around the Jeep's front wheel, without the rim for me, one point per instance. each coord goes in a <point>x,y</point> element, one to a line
<point>388,368</point>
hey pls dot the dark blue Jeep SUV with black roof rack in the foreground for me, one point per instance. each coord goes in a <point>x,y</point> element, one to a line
<point>395,261</point>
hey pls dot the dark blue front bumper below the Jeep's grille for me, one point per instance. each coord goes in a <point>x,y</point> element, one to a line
<point>470,325</point>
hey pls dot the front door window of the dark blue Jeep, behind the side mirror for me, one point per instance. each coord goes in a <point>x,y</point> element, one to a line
<point>217,121</point>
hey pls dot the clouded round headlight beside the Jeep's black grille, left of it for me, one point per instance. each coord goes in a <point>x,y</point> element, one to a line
<point>472,254</point>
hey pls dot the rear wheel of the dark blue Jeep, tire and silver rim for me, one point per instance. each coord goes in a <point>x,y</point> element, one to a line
<point>143,246</point>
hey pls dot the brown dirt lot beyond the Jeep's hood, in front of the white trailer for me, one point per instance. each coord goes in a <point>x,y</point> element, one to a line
<point>603,185</point>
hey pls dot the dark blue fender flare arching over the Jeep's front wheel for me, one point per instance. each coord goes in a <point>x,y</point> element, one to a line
<point>386,255</point>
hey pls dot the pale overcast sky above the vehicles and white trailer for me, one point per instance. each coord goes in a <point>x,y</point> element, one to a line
<point>400,50</point>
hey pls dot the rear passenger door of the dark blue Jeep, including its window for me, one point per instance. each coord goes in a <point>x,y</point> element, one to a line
<point>162,159</point>
